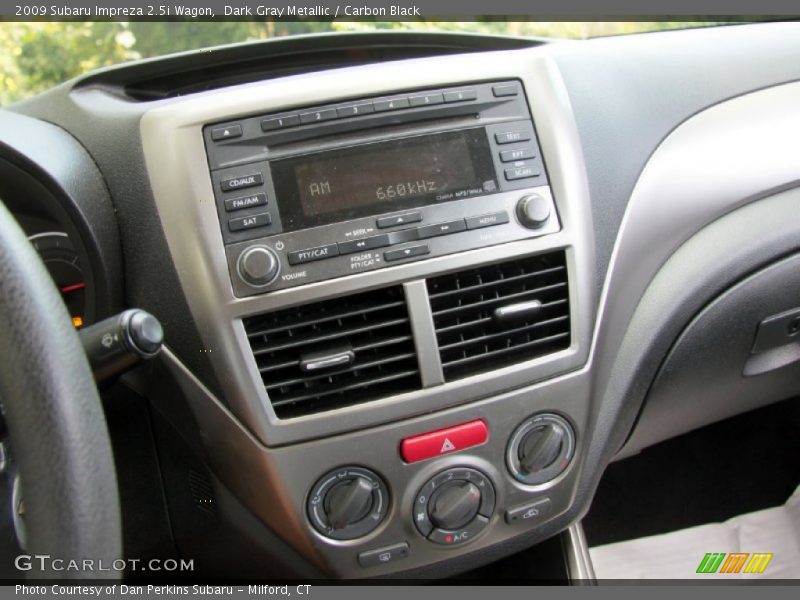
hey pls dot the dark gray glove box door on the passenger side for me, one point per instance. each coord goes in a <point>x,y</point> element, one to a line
<point>699,384</point>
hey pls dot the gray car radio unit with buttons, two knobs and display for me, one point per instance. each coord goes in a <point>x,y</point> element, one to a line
<point>328,191</point>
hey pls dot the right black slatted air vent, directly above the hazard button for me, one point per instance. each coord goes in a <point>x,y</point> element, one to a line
<point>500,314</point>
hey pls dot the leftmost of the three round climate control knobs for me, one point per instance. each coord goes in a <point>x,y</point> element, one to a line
<point>348,503</point>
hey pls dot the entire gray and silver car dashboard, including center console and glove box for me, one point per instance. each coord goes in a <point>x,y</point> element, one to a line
<point>414,307</point>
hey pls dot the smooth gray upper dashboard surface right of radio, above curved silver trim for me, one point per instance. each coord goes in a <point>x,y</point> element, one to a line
<point>628,93</point>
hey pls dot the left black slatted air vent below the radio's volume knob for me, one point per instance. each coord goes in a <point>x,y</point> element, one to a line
<point>335,353</point>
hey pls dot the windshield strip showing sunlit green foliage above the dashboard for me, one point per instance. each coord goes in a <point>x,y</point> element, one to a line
<point>37,56</point>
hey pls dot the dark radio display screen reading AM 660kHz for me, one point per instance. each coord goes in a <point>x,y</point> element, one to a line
<point>374,178</point>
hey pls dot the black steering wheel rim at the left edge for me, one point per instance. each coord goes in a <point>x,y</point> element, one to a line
<point>55,421</point>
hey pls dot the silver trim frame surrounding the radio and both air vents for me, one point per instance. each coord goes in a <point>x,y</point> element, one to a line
<point>175,157</point>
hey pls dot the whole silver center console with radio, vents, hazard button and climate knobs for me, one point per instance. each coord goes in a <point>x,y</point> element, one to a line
<point>391,271</point>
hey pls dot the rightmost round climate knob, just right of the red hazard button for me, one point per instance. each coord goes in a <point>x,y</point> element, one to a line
<point>540,449</point>
